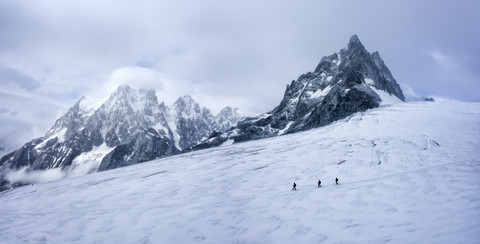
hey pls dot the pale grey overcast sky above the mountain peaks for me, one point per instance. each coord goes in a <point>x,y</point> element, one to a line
<point>239,53</point>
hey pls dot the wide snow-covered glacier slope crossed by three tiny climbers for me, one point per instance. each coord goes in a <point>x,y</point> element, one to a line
<point>409,173</point>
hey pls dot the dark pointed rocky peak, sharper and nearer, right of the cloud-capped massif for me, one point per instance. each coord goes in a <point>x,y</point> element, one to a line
<point>343,83</point>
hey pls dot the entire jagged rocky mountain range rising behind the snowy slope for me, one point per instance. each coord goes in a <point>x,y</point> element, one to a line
<point>132,126</point>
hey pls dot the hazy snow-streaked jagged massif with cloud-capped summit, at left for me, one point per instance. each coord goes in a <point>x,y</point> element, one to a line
<point>128,128</point>
